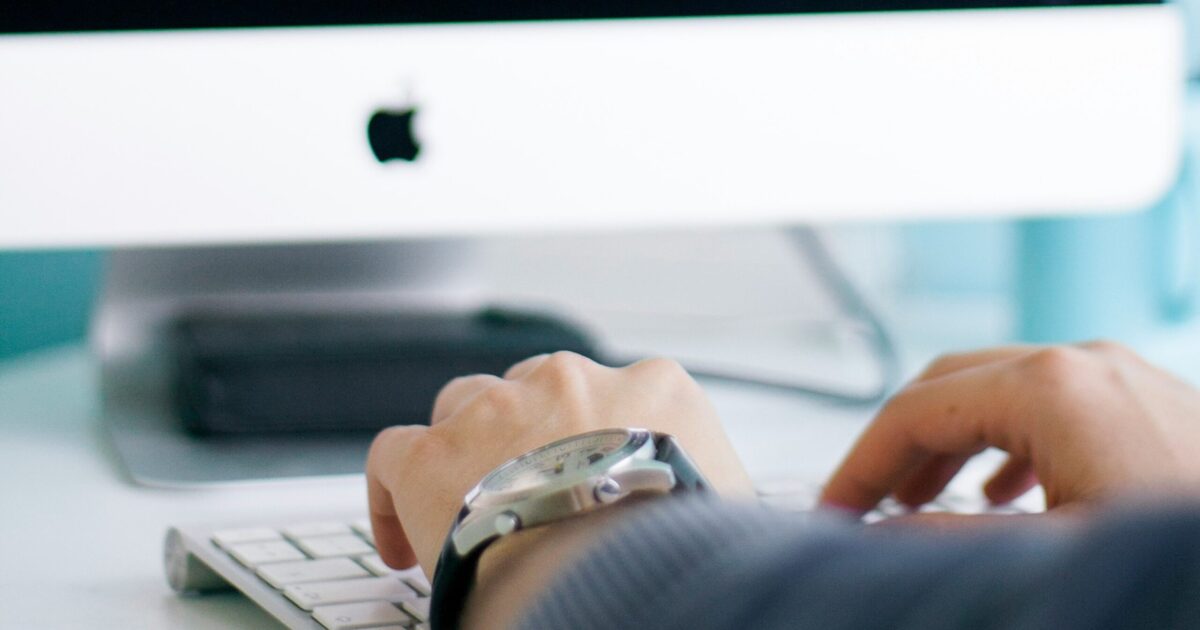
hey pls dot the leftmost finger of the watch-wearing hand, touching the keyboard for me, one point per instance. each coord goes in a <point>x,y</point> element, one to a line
<point>389,535</point>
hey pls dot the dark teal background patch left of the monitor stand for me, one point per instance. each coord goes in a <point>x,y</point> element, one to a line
<point>46,298</point>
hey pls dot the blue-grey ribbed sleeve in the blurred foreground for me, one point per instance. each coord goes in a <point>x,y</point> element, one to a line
<point>699,566</point>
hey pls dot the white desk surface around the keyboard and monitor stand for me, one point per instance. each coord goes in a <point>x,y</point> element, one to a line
<point>81,548</point>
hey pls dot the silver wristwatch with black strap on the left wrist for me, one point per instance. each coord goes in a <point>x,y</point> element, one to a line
<point>562,479</point>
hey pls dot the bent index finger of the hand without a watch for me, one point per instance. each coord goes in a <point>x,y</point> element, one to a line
<point>958,415</point>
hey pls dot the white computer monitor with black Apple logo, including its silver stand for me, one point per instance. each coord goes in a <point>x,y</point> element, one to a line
<point>219,151</point>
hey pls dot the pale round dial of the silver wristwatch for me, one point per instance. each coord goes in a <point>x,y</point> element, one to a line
<point>571,459</point>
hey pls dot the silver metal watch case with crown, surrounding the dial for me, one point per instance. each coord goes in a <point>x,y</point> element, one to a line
<point>632,469</point>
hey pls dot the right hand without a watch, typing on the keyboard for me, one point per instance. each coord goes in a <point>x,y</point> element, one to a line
<point>1089,422</point>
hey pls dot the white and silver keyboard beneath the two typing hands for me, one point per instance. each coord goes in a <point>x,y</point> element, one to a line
<point>326,574</point>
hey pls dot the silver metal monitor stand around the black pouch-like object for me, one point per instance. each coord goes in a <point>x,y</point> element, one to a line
<point>145,290</point>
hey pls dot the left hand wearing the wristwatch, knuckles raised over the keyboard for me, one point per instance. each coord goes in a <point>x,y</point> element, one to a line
<point>418,477</point>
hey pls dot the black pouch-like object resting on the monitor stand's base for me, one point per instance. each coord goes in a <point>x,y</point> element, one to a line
<point>273,374</point>
